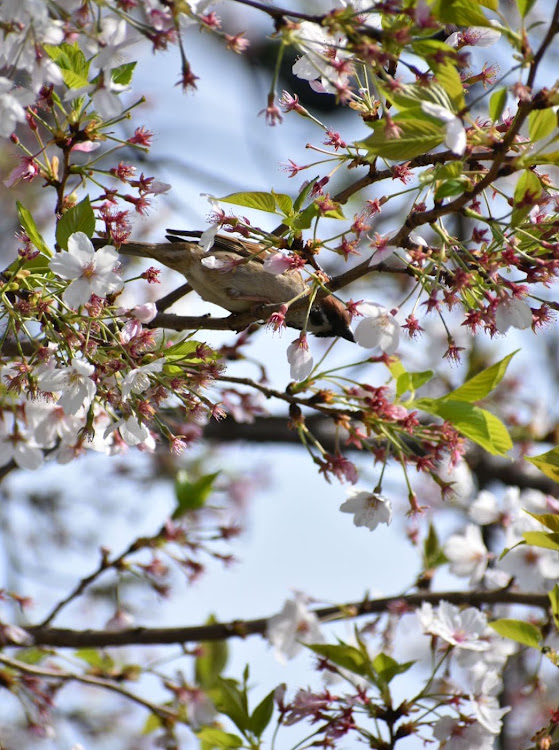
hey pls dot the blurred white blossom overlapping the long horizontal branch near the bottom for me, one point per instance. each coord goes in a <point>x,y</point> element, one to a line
<point>294,625</point>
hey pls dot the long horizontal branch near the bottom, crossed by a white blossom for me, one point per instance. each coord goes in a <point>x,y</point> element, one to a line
<point>63,638</point>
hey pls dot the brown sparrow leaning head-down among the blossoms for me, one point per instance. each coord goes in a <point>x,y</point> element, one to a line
<point>232,275</point>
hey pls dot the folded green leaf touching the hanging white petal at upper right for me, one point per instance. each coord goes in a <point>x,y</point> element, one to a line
<point>418,135</point>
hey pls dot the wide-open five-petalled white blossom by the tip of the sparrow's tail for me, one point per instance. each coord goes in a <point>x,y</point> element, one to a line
<point>91,272</point>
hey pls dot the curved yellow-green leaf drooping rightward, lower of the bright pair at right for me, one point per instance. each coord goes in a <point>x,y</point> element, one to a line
<point>475,423</point>
